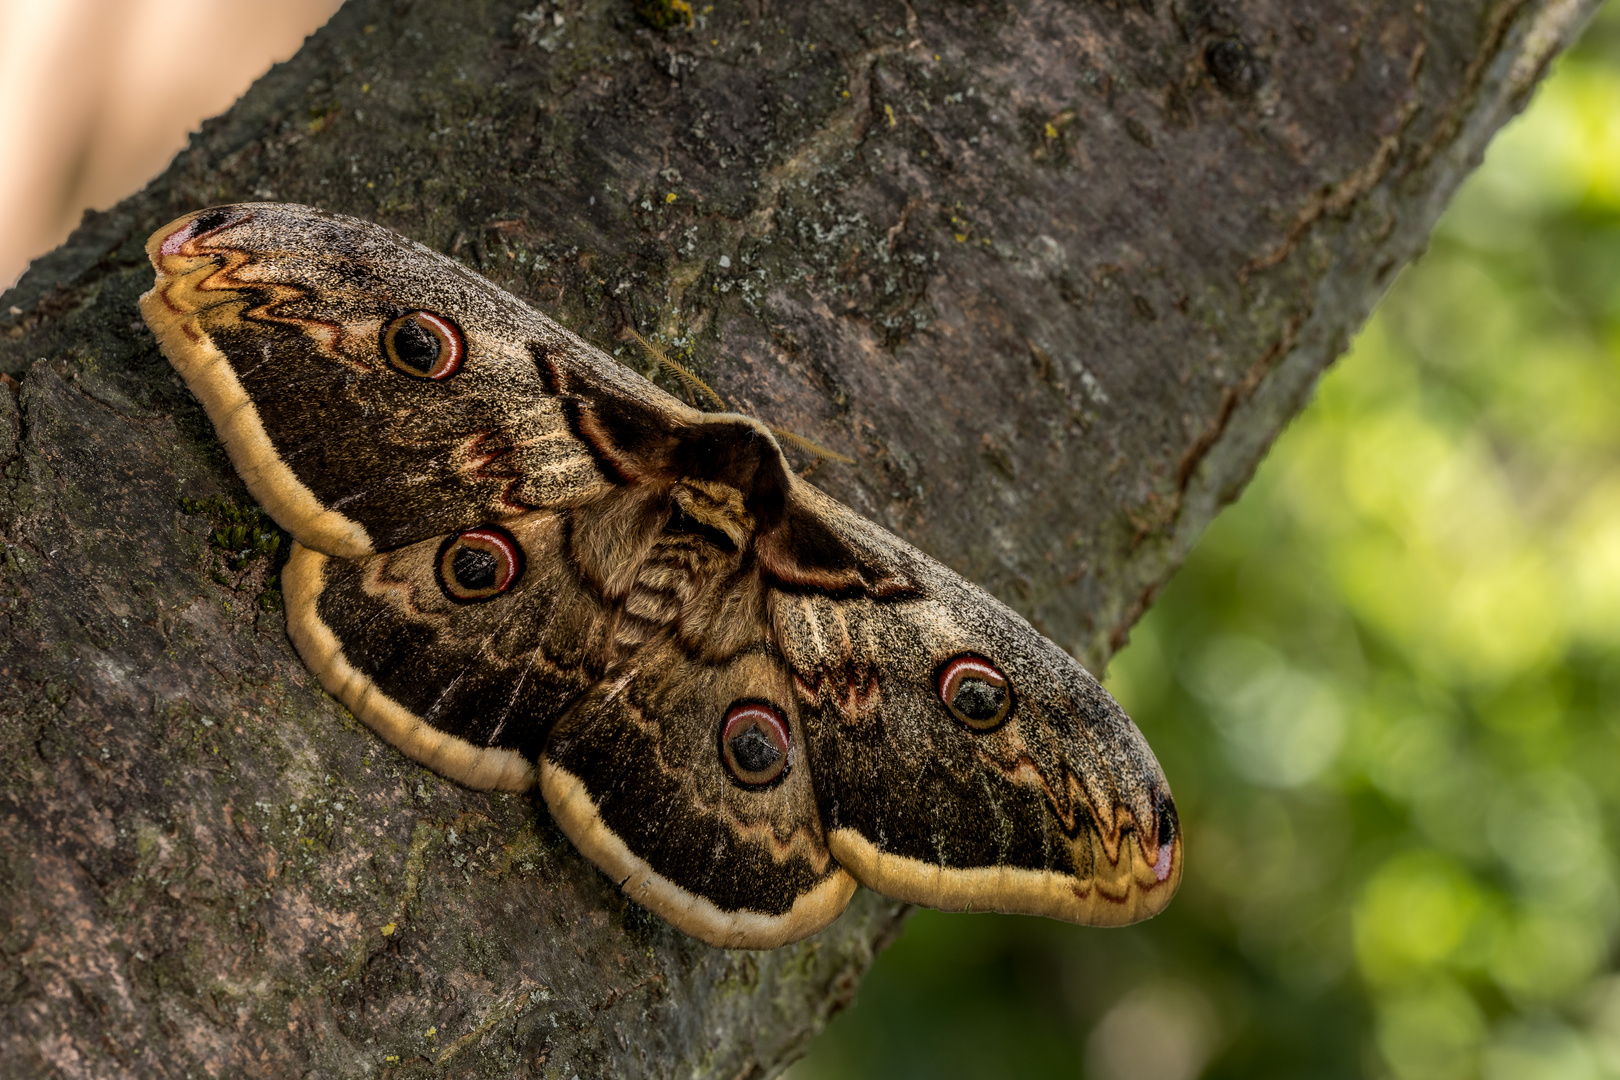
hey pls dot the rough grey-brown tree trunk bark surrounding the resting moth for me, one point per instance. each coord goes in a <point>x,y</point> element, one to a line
<point>1054,271</point>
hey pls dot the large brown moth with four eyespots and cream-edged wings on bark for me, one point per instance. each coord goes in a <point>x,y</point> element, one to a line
<point>522,564</point>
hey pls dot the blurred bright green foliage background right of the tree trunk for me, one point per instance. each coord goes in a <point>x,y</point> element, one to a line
<point>1388,694</point>
